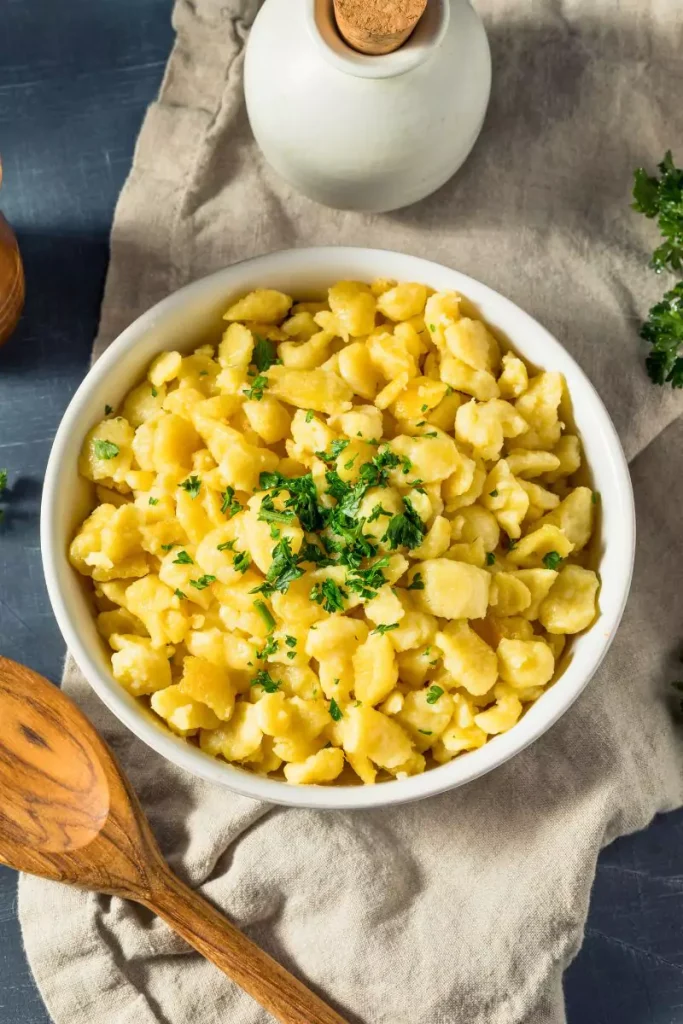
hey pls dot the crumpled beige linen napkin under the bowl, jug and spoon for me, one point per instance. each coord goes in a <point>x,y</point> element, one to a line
<point>466,908</point>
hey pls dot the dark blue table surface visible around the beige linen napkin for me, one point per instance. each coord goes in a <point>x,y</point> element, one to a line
<point>75,80</point>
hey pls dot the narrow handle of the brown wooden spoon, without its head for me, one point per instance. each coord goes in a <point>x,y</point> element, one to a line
<point>214,936</point>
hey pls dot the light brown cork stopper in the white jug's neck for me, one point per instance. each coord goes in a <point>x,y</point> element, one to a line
<point>377,27</point>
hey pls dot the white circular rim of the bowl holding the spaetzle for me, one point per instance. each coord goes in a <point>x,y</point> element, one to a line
<point>437,781</point>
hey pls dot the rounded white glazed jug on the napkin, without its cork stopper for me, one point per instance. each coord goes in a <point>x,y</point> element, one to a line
<point>361,133</point>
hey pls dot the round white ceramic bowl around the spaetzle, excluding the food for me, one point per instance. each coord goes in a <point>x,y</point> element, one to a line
<point>194,315</point>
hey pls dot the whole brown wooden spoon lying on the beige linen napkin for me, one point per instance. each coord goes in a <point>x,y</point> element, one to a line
<point>68,814</point>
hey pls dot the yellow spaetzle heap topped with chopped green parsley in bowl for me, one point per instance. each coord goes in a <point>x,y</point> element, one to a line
<point>345,545</point>
